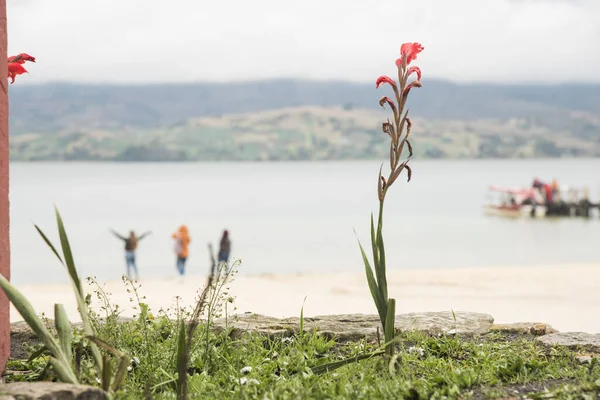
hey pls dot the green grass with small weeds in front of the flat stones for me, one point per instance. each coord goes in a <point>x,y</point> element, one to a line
<point>256,367</point>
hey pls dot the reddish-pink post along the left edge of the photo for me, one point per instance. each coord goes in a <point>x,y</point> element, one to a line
<point>4,208</point>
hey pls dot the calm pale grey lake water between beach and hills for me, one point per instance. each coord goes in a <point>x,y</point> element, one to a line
<point>288,217</point>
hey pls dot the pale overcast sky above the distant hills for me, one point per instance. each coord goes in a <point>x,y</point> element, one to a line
<point>199,40</point>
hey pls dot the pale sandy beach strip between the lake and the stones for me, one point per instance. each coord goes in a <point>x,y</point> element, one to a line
<point>566,297</point>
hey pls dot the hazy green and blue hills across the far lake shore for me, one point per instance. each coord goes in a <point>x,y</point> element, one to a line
<point>129,122</point>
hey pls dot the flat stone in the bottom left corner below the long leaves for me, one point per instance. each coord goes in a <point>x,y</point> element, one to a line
<point>49,391</point>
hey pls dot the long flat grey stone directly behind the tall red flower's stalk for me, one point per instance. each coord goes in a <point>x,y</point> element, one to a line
<point>352,327</point>
